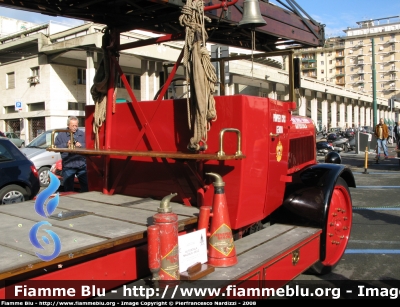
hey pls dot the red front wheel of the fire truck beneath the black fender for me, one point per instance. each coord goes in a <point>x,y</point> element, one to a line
<point>338,228</point>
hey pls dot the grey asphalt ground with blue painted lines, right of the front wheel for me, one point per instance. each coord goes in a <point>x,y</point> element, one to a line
<point>373,251</point>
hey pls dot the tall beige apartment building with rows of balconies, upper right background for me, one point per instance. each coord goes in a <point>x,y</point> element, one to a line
<point>347,61</point>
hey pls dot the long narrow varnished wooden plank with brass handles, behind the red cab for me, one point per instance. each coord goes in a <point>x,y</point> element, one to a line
<point>150,154</point>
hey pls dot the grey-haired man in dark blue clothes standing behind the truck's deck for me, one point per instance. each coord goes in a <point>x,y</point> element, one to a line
<point>73,164</point>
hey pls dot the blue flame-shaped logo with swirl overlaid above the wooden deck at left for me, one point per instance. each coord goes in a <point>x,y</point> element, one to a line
<point>45,210</point>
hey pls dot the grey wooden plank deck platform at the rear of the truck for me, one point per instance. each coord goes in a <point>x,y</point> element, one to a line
<point>101,222</point>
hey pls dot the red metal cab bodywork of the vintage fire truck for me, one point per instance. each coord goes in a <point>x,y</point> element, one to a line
<point>253,185</point>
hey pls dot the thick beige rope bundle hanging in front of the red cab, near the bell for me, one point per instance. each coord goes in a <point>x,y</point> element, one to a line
<point>199,73</point>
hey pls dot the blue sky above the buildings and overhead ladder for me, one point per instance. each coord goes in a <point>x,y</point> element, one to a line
<point>337,15</point>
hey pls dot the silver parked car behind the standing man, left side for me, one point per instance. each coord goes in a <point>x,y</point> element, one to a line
<point>43,159</point>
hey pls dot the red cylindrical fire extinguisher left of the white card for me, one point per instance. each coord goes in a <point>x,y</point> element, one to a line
<point>167,223</point>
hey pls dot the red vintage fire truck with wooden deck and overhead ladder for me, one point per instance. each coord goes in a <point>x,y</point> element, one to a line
<point>287,213</point>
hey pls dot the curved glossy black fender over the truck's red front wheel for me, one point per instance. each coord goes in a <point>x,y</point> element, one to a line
<point>309,195</point>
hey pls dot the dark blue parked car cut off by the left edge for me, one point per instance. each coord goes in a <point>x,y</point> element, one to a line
<point>19,179</point>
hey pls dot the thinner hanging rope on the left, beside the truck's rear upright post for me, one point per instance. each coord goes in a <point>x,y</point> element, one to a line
<point>99,89</point>
